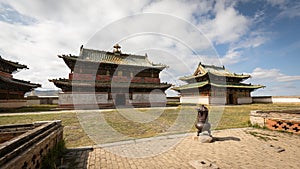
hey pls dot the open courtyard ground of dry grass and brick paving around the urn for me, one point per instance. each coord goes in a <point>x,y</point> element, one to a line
<point>165,138</point>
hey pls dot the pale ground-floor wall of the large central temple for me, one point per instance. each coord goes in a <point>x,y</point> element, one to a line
<point>102,100</point>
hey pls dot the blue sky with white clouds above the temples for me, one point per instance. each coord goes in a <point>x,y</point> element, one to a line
<point>260,37</point>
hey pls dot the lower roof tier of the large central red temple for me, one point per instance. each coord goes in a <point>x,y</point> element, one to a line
<point>67,82</point>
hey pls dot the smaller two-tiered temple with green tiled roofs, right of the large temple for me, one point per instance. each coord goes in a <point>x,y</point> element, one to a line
<point>211,84</point>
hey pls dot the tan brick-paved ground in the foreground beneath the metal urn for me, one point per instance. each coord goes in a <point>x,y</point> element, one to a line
<point>234,148</point>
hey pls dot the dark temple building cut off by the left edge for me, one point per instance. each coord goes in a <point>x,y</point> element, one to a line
<point>12,90</point>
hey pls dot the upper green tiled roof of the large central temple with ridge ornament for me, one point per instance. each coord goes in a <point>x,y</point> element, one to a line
<point>115,57</point>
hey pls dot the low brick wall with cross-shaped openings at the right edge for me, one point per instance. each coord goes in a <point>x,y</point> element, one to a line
<point>288,120</point>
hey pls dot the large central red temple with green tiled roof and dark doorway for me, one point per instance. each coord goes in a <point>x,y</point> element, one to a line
<point>110,79</point>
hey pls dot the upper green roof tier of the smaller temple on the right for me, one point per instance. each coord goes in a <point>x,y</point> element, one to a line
<point>203,70</point>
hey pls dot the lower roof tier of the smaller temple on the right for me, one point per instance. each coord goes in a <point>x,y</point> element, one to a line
<point>227,85</point>
